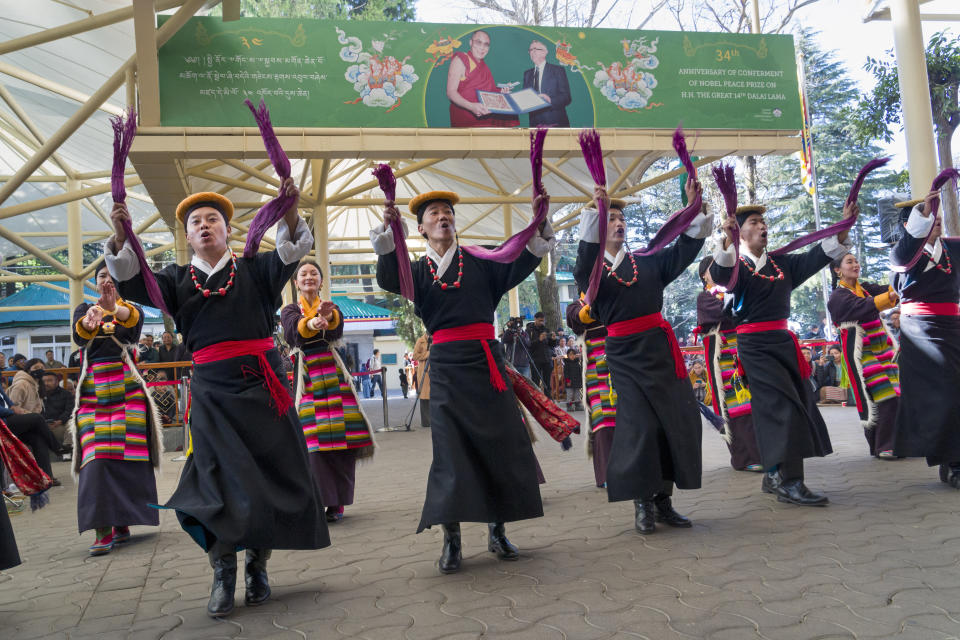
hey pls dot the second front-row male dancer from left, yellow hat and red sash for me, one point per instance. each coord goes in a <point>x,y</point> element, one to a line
<point>483,466</point>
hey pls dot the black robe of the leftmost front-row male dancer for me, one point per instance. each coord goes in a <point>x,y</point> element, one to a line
<point>247,482</point>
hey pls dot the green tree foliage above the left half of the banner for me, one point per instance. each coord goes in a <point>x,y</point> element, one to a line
<point>402,10</point>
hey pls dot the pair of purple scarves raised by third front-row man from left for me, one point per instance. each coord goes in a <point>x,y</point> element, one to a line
<point>671,229</point>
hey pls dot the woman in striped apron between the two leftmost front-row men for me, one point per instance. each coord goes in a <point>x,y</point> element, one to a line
<point>336,431</point>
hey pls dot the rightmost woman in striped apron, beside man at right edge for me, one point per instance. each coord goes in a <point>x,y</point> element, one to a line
<point>867,351</point>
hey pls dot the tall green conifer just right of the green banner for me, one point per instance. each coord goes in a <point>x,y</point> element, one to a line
<point>831,96</point>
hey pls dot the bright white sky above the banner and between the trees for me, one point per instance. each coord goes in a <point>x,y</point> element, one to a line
<point>840,23</point>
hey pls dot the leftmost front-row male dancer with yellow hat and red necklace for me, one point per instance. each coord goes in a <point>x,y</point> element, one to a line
<point>246,482</point>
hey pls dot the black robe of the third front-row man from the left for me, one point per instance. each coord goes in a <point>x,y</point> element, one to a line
<point>658,434</point>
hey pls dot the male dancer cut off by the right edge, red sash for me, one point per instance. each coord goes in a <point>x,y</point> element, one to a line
<point>928,418</point>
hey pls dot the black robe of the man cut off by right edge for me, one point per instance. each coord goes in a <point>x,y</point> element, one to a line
<point>928,418</point>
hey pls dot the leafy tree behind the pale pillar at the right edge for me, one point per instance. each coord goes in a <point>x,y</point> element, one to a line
<point>878,111</point>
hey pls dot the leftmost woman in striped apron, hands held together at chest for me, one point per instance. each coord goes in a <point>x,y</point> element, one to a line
<point>115,426</point>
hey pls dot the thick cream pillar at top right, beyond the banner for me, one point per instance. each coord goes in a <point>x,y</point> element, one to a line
<point>914,94</point>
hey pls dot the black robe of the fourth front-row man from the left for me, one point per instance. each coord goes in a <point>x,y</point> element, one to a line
<point>786,420</point>
